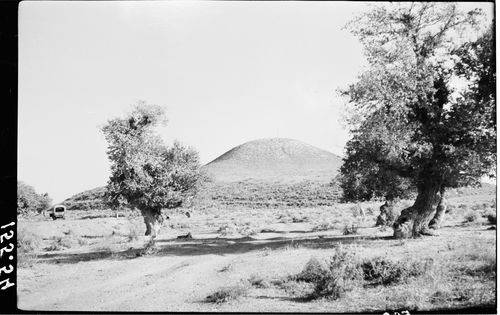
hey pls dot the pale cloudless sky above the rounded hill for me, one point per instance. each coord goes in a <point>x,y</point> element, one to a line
<point>226,73</point>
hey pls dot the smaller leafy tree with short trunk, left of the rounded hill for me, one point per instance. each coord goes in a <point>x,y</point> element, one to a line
<point>145,173</point>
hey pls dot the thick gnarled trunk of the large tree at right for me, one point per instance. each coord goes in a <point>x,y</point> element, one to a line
<point>413,221</point>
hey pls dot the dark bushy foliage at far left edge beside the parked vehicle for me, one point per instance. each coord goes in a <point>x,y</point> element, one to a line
<point>28,201</point>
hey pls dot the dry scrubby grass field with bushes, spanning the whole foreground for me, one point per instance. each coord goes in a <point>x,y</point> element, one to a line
<point>241,258</point>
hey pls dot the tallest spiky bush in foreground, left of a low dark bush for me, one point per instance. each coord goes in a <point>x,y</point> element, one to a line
<point>333,279</point>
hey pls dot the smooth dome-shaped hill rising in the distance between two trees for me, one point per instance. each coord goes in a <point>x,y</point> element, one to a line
<point>274,159</point>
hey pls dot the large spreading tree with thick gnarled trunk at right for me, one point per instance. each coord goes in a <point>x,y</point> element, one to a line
<point>407,119</point>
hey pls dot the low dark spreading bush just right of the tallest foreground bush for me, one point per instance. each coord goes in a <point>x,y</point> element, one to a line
<point>383,271</point>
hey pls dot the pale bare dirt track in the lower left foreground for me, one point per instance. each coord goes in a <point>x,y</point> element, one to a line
<point>121,285</point>
